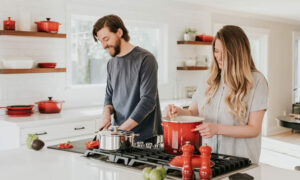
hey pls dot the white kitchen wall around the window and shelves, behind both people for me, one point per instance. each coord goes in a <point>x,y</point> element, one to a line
<point>20,89</point>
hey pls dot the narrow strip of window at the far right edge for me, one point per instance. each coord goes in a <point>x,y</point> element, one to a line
<point>297,67</point>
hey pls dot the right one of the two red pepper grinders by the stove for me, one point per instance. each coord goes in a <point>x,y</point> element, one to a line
<point>205,170</point>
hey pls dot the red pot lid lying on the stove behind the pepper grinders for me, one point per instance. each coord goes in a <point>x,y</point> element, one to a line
<point>196,162</point>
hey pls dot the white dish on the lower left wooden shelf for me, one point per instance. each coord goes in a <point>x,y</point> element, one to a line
<point>17,64</point>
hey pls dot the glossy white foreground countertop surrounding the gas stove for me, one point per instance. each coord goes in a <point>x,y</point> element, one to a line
<point>50,164</point>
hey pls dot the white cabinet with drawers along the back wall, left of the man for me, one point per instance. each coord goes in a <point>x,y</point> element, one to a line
<point>51,128</point>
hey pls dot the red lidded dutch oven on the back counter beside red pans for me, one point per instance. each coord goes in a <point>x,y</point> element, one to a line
<point>50,106</point>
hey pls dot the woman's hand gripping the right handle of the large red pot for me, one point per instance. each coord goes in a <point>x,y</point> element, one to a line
<point>207,130</point>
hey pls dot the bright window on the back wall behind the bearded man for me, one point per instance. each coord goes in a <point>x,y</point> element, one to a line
<point>89,59</point>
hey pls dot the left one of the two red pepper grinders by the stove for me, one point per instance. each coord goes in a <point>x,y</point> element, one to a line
<point>187,169</point>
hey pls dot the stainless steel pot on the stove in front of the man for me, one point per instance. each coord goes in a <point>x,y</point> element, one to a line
<point>114,140</point>
